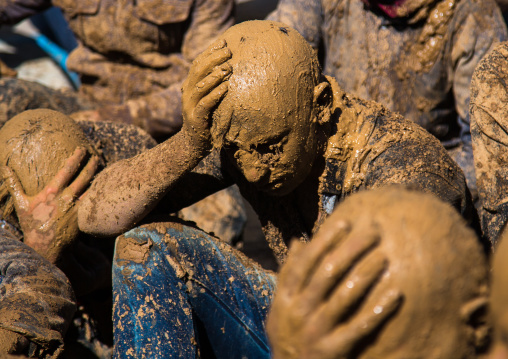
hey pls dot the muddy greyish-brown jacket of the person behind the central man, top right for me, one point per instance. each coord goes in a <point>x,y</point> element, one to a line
<point>418,65</point>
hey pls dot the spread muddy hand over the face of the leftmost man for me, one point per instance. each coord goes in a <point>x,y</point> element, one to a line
<point>49,219</point>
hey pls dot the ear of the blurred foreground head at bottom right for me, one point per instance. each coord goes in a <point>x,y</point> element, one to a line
<point>475,316</point>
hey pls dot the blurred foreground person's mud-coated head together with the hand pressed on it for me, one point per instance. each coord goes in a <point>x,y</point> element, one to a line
<point>379,245</point>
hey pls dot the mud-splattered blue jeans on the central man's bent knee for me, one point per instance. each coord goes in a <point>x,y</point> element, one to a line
<point>180,293</point>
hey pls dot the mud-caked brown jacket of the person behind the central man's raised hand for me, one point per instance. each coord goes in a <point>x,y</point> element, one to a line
<point>133,55</point>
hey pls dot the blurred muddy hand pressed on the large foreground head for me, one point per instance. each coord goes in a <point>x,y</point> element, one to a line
<point>315,310</point>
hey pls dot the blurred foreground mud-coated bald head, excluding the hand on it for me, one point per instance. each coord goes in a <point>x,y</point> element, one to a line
<point>437,263</point>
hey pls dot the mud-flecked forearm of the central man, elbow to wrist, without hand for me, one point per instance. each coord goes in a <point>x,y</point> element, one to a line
<point>125,192</point>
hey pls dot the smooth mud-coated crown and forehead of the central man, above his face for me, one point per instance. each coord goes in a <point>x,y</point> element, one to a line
<point>274,74</point>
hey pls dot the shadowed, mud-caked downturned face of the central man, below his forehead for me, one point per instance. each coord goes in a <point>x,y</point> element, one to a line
<point>273,145</point>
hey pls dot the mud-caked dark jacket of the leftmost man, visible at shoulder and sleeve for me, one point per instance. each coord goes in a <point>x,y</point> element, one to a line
<point>36,298</point>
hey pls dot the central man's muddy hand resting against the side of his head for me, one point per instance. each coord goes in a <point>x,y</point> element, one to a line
<point>202,91</point>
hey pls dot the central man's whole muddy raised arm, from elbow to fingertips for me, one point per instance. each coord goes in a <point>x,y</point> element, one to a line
<point>125,192</point>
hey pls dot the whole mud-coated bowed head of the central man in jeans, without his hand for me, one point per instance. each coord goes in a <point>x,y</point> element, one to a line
<point>268,120</point>
